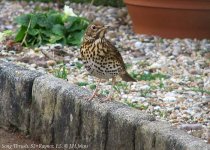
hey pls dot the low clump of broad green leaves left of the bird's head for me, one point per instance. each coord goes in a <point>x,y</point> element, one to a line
<point>50,27</point>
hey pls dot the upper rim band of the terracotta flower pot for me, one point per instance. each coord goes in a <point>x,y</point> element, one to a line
<point>172,4</point>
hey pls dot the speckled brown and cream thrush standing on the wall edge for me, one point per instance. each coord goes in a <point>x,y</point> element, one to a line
<point>101,58</point>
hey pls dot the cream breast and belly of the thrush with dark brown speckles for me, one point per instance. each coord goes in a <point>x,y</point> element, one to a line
<point>97,61</point>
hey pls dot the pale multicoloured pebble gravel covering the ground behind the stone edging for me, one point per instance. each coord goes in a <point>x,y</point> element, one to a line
<point>180,93</point>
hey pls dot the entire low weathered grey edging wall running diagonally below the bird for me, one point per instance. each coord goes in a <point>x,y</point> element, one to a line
<point>56,112</point>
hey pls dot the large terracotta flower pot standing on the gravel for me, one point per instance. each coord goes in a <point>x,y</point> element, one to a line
<point>171,18</point>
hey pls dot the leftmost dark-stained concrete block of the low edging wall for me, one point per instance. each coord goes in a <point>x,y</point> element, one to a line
<point>15,100</point>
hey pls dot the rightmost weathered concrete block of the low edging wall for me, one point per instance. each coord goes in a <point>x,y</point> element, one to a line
<point>159,135</point>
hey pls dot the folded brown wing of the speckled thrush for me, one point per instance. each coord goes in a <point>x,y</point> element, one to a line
<point>113,52</point>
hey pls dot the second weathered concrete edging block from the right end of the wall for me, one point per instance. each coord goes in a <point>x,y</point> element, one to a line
<point>122,124</point>
